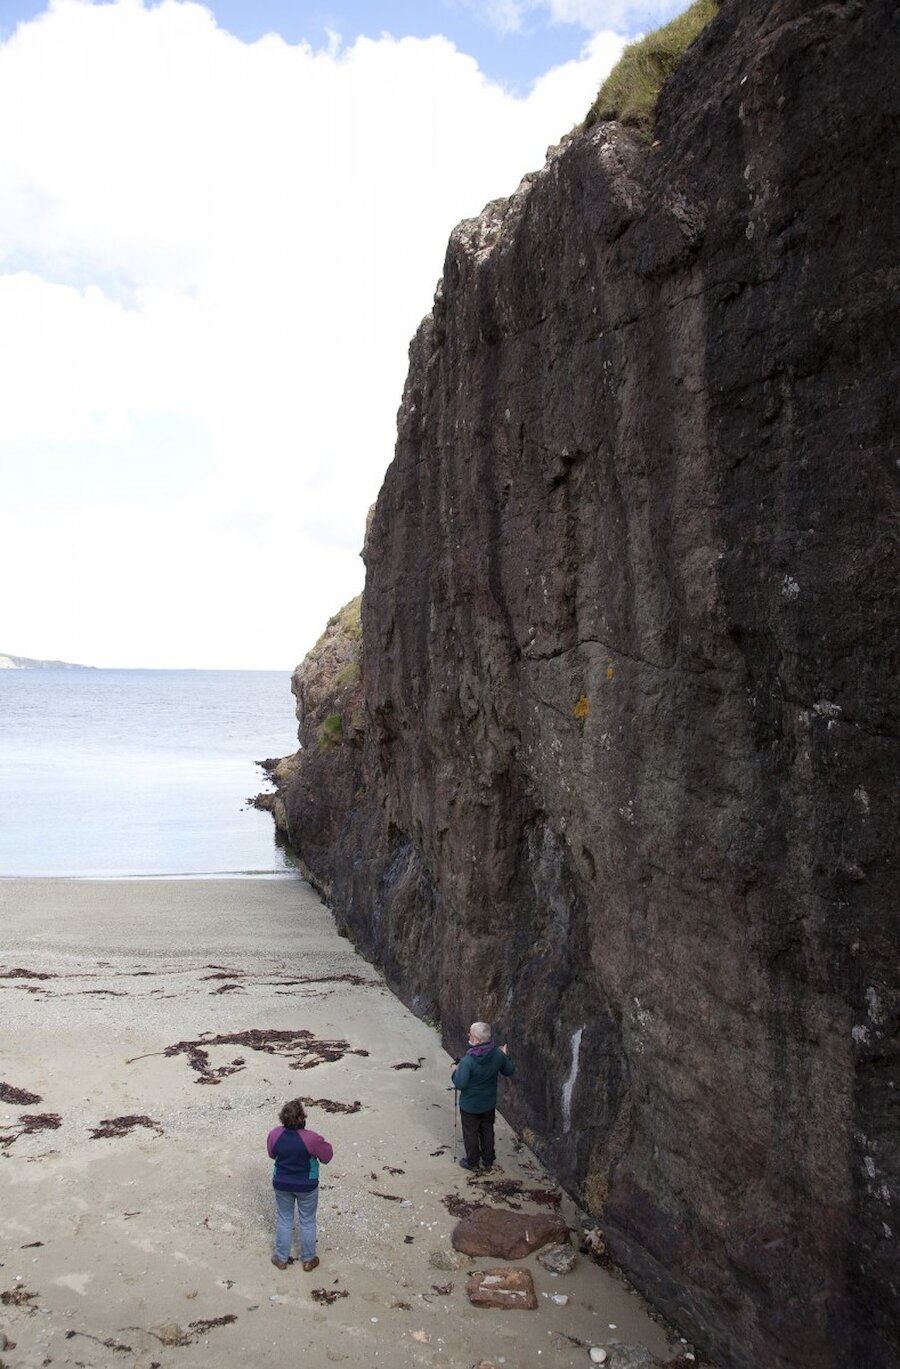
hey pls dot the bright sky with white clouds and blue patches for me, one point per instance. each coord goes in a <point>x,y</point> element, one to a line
<point>220,229</point>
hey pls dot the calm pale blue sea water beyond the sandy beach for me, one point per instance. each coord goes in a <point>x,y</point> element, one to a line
<point>139,773</point>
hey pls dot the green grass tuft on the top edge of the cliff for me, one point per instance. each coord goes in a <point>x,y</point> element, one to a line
<point>632,90</point>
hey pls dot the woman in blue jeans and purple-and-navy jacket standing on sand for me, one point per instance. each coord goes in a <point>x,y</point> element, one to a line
<point>297,1181</point>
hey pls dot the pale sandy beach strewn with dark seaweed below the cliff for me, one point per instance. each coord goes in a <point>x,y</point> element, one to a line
<point>110,1244</point>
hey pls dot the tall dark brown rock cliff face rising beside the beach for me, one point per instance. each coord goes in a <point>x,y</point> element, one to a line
<point>627,780</point>
